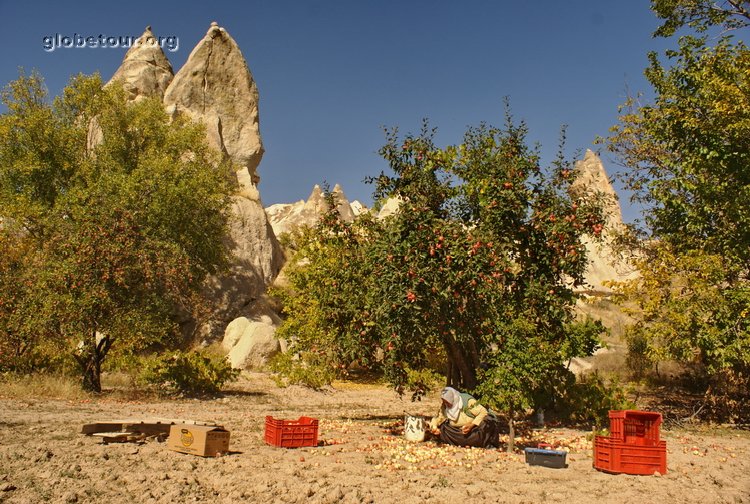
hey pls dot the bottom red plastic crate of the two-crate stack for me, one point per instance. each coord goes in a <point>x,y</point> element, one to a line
<point>614,456</point>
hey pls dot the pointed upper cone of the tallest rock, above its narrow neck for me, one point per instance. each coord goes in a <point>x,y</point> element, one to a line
<point>215,86</point>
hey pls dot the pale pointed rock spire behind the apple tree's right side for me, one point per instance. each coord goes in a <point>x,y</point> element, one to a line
<point>604,262</point>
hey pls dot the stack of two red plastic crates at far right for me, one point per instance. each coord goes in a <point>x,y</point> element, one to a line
<point>633,446</point>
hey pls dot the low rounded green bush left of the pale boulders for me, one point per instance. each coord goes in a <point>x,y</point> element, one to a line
<point>188,372</point>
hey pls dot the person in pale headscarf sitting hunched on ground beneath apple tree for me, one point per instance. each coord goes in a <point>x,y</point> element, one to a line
<point>462,421</point>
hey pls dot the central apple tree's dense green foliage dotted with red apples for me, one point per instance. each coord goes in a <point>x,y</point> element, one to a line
<point>478,265</point>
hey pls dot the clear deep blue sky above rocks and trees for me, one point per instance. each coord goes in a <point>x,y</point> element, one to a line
<point>332,73</point>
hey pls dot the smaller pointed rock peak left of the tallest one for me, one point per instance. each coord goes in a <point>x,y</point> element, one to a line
<point>145,71</point>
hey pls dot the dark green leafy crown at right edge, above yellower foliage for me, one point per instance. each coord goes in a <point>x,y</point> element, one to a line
<point>688,153</point>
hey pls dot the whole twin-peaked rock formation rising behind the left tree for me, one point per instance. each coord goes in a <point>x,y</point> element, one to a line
<point>216,87</point>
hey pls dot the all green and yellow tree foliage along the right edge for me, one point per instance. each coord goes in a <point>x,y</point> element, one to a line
<point>687,155</point>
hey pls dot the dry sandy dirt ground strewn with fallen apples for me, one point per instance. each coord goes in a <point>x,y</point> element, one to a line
<point>363,458</point>
